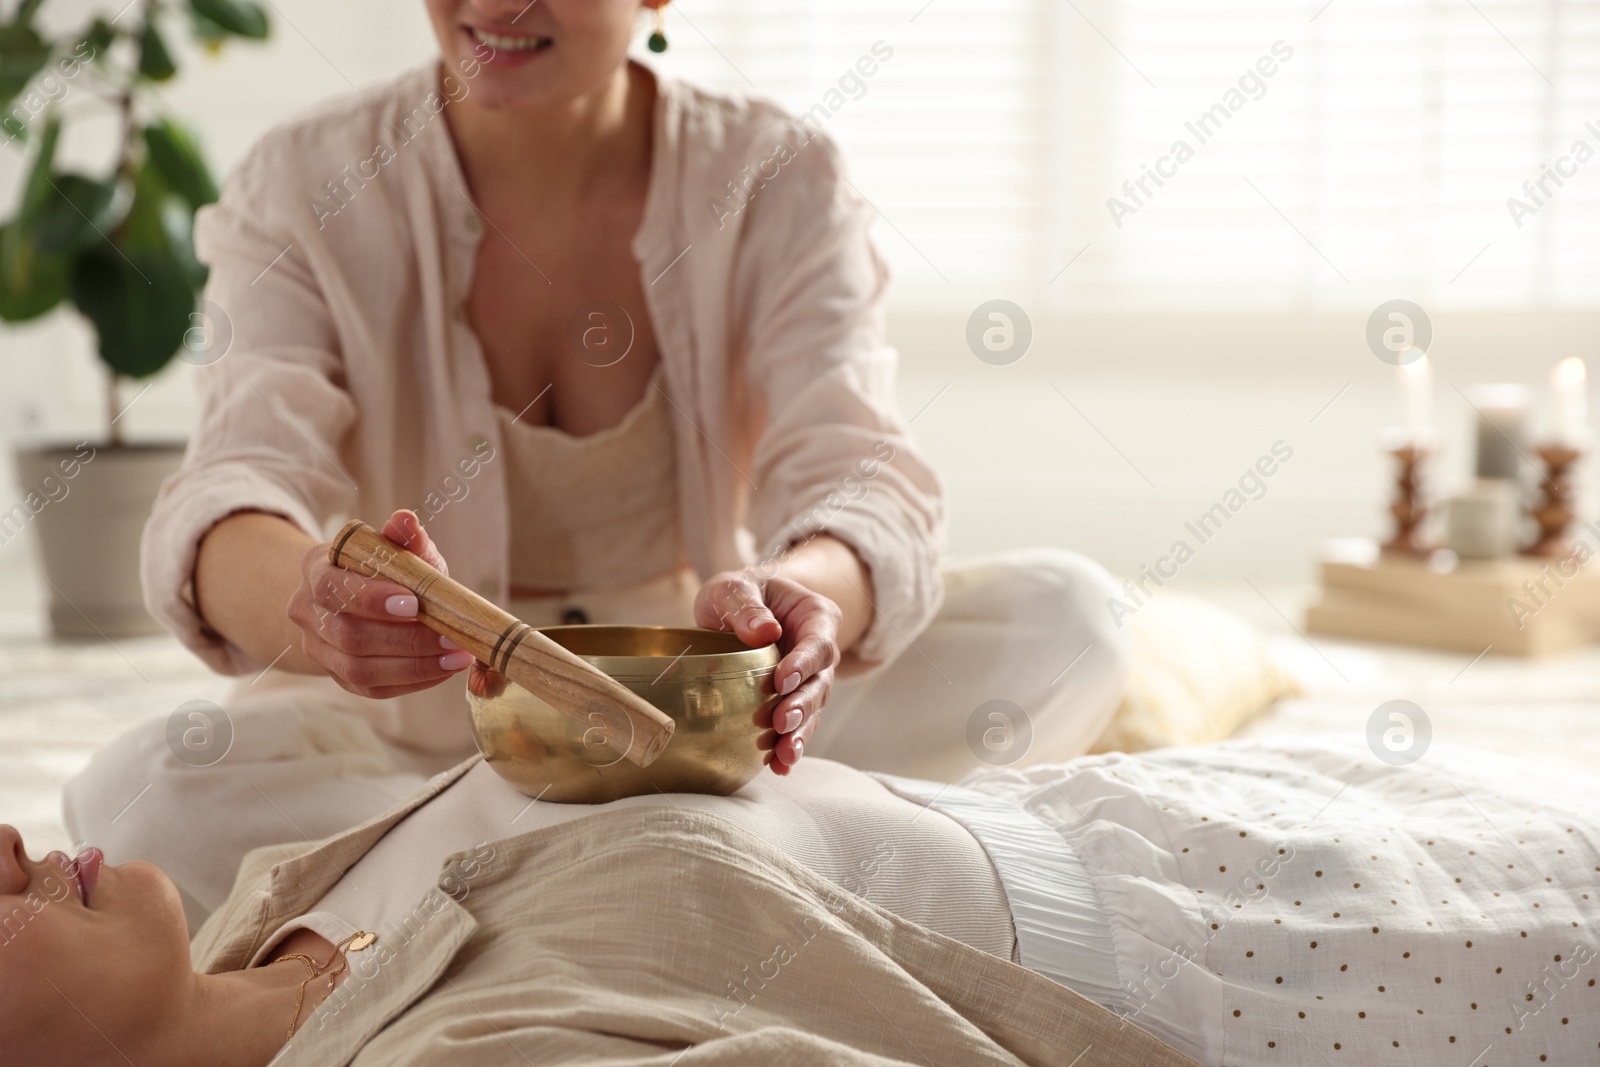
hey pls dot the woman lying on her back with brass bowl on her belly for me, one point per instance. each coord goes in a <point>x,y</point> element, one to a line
<point>1246,905</point>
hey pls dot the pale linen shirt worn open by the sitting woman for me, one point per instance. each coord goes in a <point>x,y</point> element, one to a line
<point>350,383</point>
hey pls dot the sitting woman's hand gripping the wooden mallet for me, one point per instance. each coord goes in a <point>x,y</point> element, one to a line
<point>364,633</point>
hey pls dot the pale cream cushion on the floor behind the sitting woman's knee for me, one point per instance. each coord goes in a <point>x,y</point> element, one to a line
<point>1198,674</point>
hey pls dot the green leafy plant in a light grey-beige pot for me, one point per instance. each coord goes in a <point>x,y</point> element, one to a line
<point>119,249</point>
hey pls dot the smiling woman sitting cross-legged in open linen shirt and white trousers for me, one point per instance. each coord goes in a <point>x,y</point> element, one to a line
<point>489,290</point>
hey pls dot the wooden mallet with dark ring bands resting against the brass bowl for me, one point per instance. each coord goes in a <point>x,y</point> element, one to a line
<point>626,722</point>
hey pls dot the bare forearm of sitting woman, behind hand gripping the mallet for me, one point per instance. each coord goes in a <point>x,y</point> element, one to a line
<point>247,572</point>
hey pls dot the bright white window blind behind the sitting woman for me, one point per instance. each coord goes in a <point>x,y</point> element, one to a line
<point>1375,161</point>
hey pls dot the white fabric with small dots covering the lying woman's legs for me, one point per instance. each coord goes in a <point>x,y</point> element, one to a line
<point>1282,903</point>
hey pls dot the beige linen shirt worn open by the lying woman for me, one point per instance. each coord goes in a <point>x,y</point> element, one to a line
<point>663,938</point>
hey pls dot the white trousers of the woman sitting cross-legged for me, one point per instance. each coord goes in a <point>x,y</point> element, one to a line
<point>1022,666</point>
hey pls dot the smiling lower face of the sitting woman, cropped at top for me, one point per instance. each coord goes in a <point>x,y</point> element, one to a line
<point>534,54</point>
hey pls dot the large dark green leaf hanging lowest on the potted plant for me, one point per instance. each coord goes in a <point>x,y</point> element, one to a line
<point>140,303</point>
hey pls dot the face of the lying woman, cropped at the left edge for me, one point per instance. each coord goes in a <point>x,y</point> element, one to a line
<point>90,957</point>
